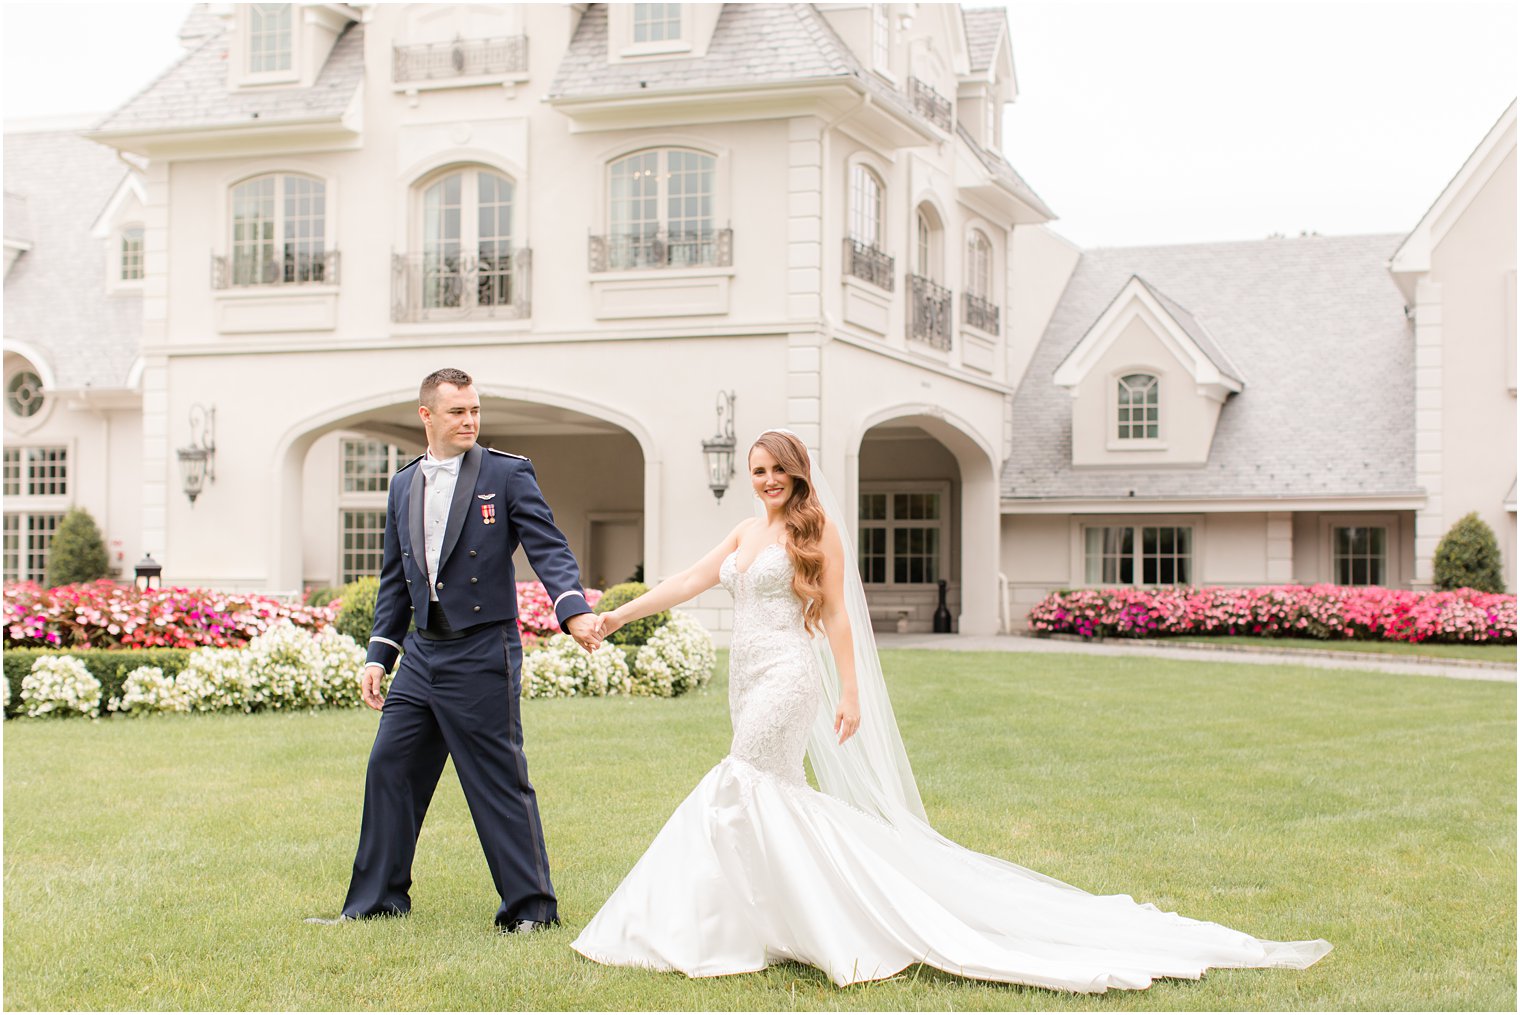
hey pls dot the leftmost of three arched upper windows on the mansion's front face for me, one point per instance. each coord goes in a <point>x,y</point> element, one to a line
<point>280,232</point>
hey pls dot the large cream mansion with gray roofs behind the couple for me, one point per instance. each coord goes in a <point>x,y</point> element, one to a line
<point>615,217</point>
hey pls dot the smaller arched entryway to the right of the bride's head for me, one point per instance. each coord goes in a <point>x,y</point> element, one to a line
<point>928,513</point>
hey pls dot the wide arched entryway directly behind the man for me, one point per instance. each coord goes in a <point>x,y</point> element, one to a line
<point>337,479</point>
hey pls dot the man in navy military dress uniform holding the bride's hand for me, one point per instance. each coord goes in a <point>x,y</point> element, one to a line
<point>454,520</point>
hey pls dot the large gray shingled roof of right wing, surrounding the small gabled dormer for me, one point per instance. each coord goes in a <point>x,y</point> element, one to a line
<point>1319,327</point>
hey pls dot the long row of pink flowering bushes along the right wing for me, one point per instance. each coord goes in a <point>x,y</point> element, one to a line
<point>1314,612</point>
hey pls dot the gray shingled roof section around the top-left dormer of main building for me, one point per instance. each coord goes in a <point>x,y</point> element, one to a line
<point>194,93</point>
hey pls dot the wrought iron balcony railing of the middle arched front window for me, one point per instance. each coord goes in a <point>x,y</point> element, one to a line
<point>461,286</point>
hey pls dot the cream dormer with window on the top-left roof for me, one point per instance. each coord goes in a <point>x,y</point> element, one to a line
<point>280,45</point>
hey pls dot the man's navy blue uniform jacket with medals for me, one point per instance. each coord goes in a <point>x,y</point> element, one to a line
<point>496,507</point>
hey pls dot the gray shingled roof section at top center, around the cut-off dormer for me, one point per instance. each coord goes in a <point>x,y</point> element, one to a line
<point>753,45</point>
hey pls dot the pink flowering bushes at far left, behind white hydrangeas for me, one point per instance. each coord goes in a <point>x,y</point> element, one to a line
<point>109,616</point>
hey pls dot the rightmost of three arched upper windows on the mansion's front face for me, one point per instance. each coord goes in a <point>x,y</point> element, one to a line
<point>660,210</point>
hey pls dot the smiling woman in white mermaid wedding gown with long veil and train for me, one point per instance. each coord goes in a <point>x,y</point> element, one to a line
<point>756,867</point>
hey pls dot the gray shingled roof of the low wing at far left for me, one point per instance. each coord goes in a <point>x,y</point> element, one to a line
<point>55,297</point>
